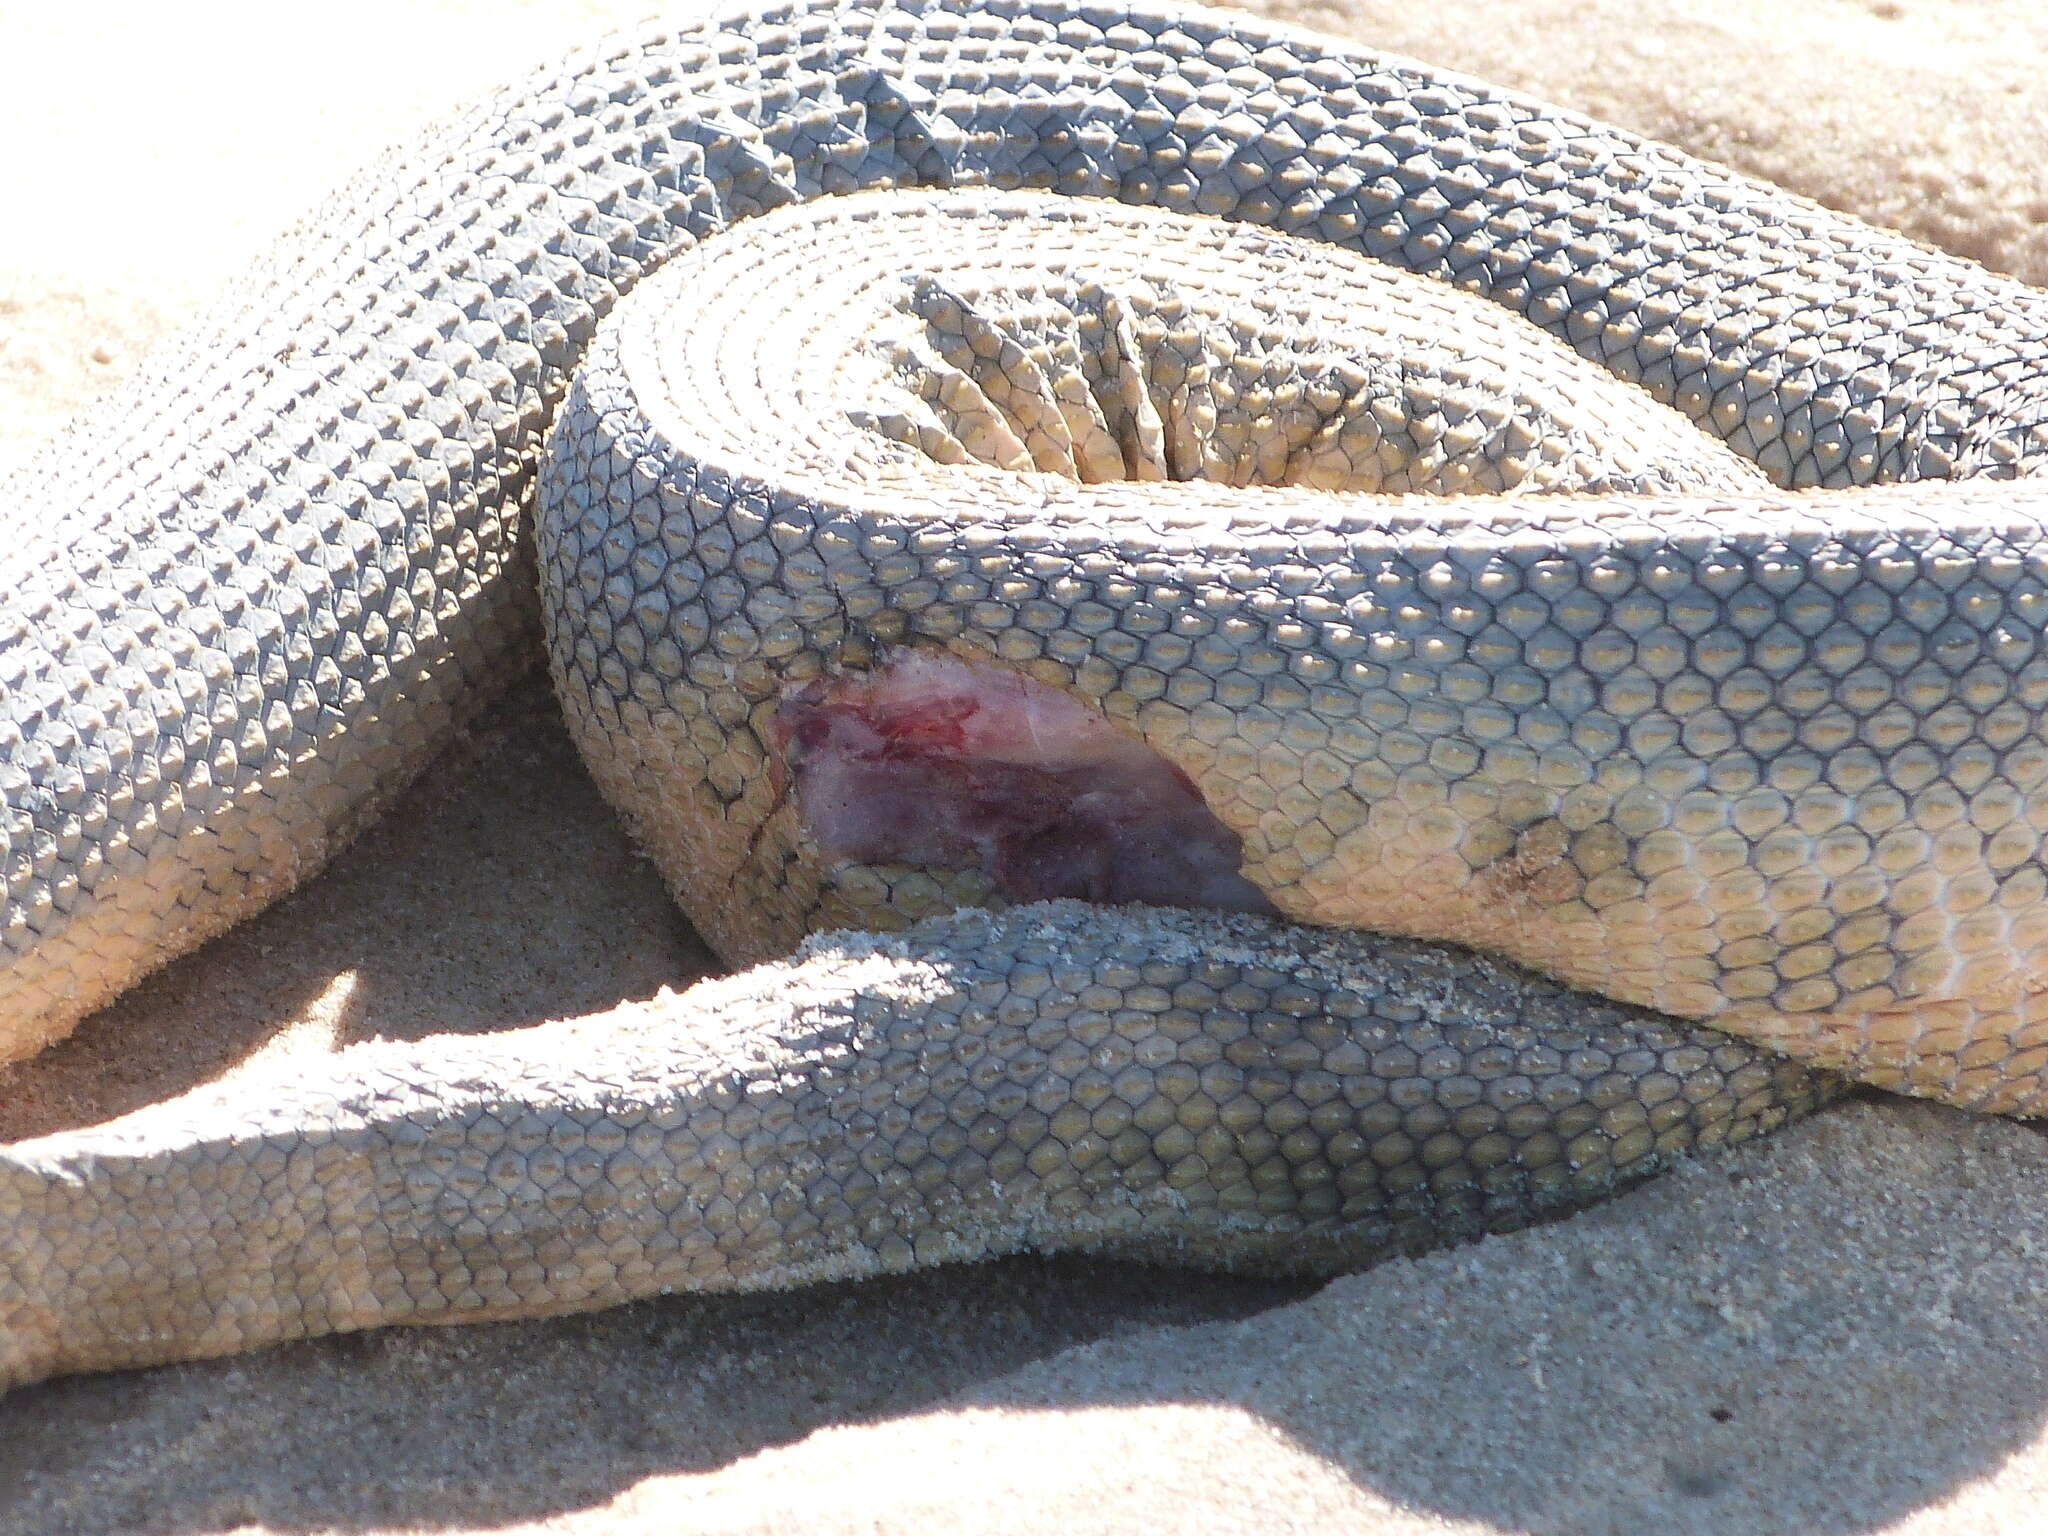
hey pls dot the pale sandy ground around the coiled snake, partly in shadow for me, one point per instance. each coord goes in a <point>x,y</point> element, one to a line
<point>1826,1334</point>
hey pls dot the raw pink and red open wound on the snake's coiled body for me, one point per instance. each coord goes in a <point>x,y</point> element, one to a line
<point>962,765</point>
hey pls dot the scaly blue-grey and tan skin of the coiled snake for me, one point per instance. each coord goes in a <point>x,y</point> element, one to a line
<point>1754,744</point>
